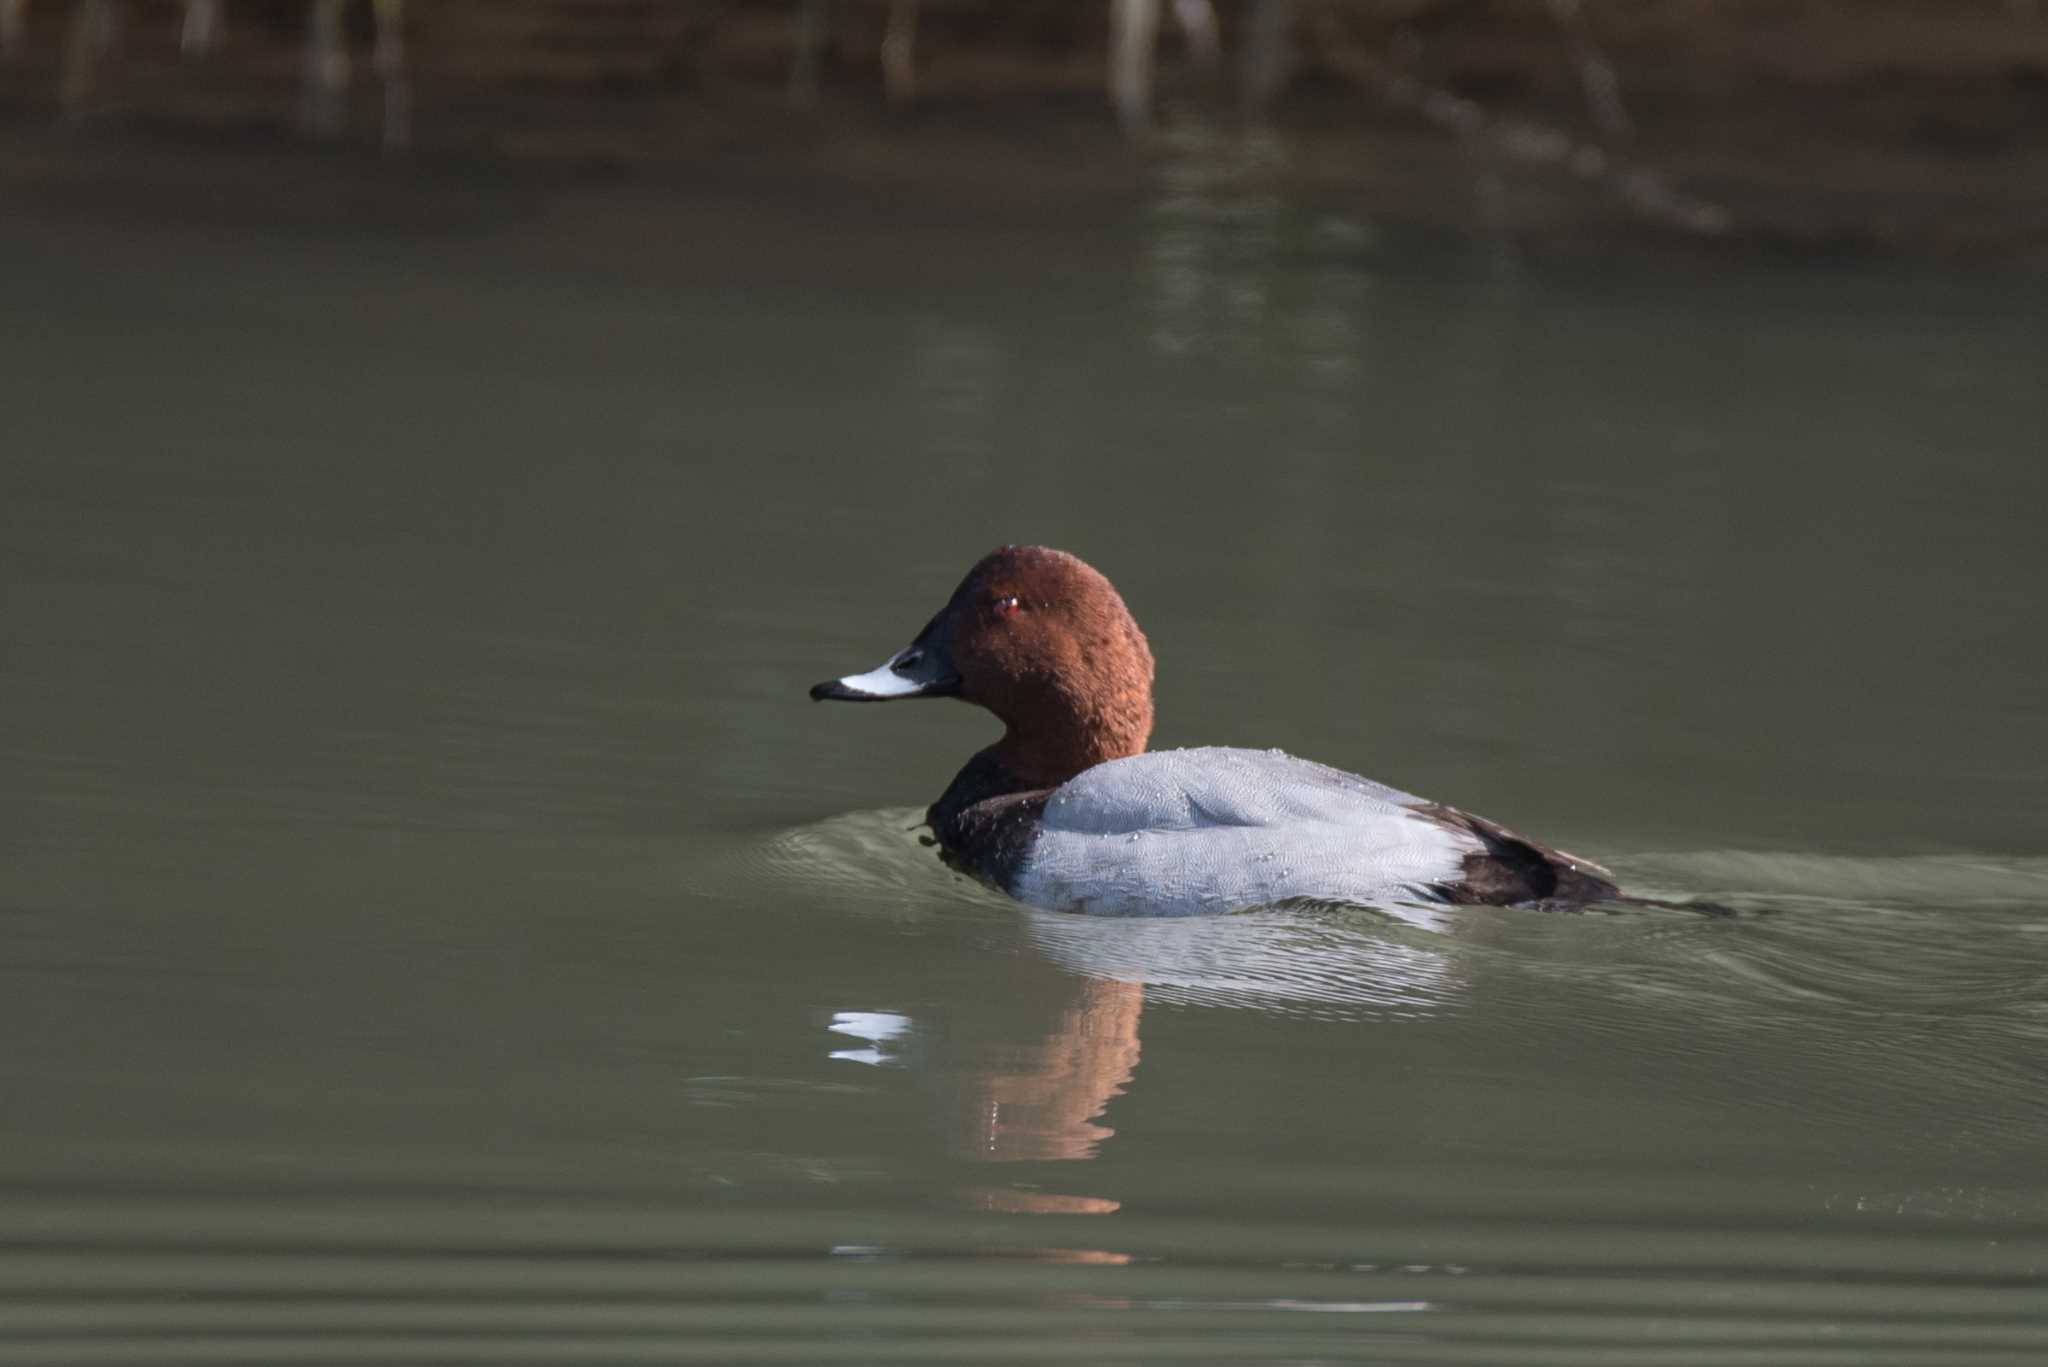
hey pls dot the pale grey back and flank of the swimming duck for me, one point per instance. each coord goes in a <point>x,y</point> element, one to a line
<point>1179,833</point>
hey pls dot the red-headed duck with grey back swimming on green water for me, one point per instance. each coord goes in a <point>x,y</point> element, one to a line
<point>1072,813</point>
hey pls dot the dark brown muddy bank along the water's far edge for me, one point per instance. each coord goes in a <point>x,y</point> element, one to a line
<point>1828,128</point>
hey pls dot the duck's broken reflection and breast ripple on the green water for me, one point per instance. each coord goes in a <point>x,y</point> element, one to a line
<point>1027,1065</point>
